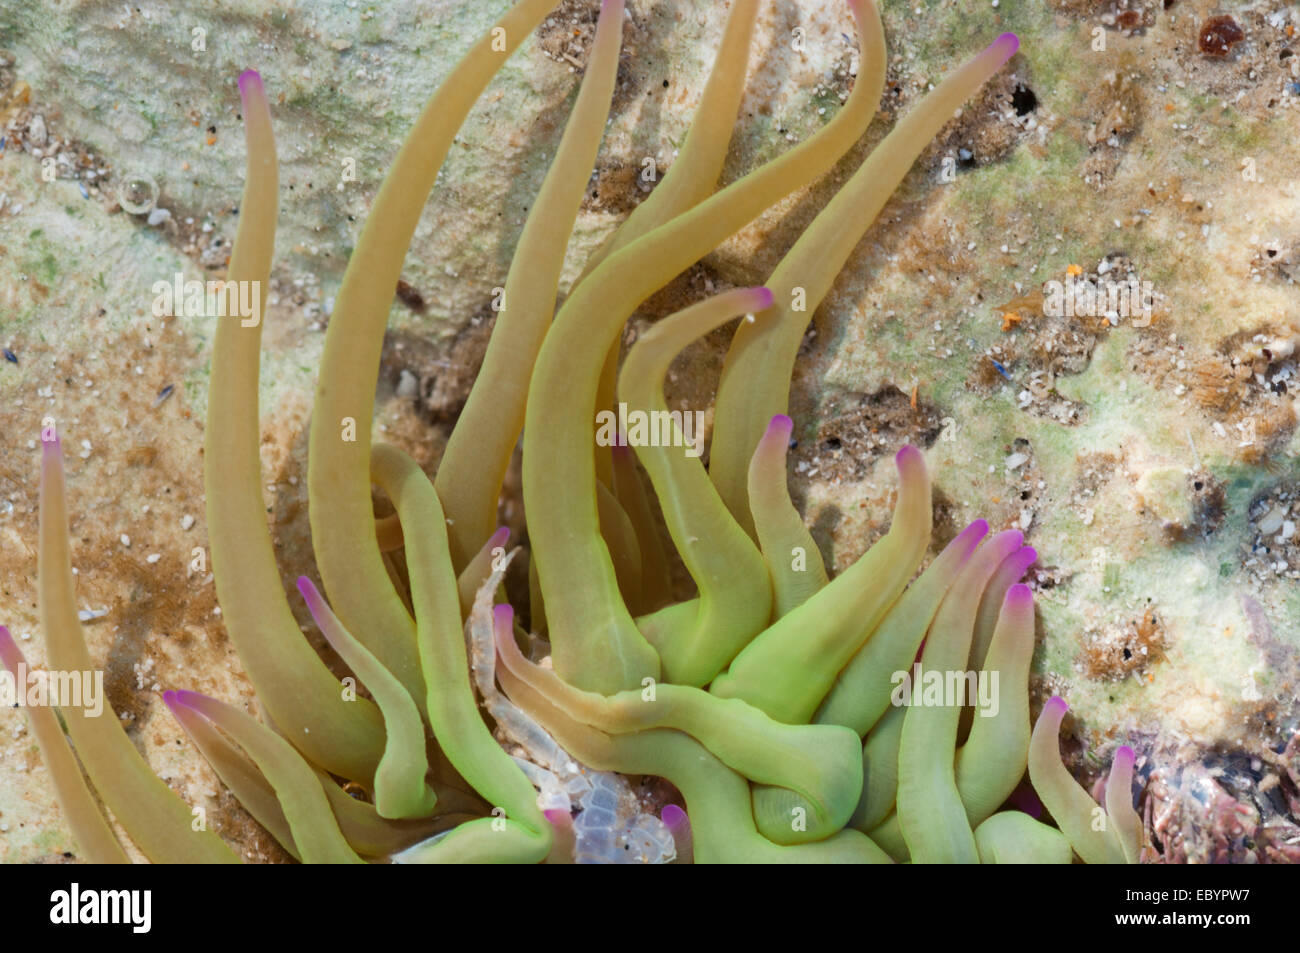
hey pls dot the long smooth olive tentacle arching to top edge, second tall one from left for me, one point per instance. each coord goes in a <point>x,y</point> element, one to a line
<point>339,454</point>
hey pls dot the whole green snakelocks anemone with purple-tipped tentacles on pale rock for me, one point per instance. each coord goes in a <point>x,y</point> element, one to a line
<point>876,717</point>
